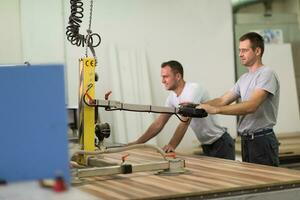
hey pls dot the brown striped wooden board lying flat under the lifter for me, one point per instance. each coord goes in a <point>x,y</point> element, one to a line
<point>206,176</point>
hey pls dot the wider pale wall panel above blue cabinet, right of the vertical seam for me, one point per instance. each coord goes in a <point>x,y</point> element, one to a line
<point>42,31</point>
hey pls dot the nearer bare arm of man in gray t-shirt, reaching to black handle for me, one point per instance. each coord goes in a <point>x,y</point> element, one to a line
<point>243,108</point>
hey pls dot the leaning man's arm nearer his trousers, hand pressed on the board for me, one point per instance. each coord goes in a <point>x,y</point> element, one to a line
<point>178,135</point>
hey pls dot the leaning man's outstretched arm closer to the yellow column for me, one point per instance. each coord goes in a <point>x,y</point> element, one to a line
<point>153,129</point>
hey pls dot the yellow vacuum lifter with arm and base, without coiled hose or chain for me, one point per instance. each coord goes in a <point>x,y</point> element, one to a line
<point>90,128</point>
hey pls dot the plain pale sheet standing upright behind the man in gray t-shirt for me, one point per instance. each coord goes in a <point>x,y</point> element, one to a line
<point>279,57</point>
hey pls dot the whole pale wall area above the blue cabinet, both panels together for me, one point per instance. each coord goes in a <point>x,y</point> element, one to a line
<point>32,30</point>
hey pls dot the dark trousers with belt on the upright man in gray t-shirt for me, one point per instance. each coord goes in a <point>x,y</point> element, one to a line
<point>261,150</point>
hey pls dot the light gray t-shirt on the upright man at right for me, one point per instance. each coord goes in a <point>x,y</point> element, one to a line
<point>266,114</point>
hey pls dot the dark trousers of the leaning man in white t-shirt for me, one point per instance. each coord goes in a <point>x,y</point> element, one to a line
<point>221,148</point>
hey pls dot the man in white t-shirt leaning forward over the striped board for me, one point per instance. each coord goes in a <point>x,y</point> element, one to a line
<point>215,141</point>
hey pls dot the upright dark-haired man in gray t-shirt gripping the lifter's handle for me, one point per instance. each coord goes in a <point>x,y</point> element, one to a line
<point>258,91</point>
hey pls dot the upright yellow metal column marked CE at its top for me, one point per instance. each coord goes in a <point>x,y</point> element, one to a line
<point>86,113</point>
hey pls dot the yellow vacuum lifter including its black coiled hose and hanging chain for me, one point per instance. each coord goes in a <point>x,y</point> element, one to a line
<point>90,126</point>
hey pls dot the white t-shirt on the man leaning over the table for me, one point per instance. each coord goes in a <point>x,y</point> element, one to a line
<point>207,129</point>
